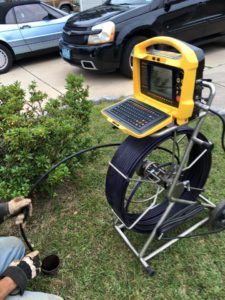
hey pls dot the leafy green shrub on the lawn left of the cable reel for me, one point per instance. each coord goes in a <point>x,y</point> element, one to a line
<point>37,132</point>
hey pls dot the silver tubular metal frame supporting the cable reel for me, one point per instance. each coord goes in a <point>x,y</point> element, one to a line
<point>121,228</point>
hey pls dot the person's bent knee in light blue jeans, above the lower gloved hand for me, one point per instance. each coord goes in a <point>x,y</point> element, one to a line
<point>11,248</point>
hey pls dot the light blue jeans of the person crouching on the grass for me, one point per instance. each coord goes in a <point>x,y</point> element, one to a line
<point>11,248</point>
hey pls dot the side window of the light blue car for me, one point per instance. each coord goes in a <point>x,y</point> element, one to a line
<point>30,13</point>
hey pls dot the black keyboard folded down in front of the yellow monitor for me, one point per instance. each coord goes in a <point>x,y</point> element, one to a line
<point>136,115</point>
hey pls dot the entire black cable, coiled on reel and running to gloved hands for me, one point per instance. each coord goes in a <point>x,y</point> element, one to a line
<point>128,162</point>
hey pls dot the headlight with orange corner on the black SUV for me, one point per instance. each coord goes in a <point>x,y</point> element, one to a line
<point>106,35</point>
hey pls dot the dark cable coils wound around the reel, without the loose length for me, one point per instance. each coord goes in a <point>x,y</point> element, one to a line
<point>127,158</point>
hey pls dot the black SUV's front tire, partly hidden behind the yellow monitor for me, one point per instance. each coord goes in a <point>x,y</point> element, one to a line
<point>126,64</point>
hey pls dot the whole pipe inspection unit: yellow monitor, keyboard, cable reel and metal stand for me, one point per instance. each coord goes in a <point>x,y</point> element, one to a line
<point>156,177</point>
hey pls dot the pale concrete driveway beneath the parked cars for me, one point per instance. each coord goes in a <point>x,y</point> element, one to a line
<point>50,71</point>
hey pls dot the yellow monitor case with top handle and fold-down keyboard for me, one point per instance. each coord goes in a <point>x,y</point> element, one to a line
<point>164,87</point>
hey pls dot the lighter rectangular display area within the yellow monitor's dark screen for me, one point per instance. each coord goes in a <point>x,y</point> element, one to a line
<point>161,82</point>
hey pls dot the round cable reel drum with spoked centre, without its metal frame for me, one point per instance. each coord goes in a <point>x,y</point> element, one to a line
<point>144,175</point>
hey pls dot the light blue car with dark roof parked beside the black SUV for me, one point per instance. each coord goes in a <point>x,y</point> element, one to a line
<point>27,28</point>
